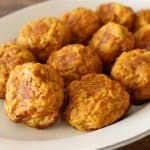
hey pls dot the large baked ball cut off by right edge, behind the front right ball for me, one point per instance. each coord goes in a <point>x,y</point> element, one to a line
<point>132,69</point>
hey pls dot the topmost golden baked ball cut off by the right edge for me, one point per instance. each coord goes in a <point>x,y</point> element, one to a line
<point>142,18</point>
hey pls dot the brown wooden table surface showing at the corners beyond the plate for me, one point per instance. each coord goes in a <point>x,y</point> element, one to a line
<point>8,6</point>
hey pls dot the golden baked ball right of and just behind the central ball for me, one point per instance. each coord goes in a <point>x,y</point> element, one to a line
<point>110,41</point>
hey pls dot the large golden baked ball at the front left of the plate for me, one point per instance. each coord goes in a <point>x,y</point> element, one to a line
<point>34,95</point>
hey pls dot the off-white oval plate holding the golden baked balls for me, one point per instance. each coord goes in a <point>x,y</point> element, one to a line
<point>19,137</point>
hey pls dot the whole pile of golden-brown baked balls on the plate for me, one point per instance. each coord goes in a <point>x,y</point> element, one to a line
<point>88,66</point>
